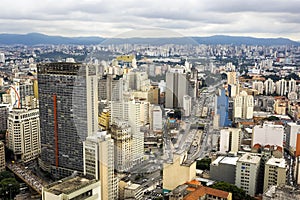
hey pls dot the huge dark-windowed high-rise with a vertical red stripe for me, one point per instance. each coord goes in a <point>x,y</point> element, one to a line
<point>68,103</point>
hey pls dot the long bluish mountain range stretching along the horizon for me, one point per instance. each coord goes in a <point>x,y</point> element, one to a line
<point>37,38</point>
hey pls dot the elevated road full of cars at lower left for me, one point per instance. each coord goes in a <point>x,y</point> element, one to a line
<point>27,176</point>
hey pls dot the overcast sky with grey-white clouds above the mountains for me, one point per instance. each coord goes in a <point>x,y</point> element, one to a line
<point>257,18</point>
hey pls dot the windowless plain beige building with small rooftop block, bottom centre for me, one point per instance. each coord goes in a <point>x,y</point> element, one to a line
<point>184,172</point>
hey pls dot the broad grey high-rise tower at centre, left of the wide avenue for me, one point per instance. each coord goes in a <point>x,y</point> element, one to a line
<point>177,87</point>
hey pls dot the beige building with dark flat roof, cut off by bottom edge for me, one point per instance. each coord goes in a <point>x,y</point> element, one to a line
<point>78,187</point>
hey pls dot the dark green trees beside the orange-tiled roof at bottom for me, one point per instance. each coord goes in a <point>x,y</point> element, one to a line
<point>237,193</point>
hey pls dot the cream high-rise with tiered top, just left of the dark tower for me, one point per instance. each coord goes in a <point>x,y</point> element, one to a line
<point>23,134</point>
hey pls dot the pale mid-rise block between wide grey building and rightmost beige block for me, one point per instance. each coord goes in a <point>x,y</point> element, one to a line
<point>247,171</point>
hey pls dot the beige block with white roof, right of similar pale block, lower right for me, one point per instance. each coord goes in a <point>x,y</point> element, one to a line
<point>275,172</point>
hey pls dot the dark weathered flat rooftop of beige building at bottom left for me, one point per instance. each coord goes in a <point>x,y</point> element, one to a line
<point>69,185</point>
